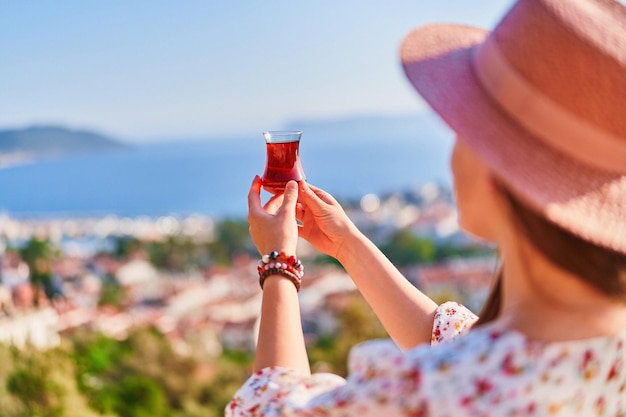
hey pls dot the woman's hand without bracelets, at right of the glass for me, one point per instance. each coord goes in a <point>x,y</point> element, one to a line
<point>325,224</point>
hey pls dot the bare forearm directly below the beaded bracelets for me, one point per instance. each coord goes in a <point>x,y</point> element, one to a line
<point>281,341</point>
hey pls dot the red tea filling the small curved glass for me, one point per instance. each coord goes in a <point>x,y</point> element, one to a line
<point>283,164</point>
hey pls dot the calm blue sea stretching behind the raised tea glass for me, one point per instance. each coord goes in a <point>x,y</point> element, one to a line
<point>212,177</point>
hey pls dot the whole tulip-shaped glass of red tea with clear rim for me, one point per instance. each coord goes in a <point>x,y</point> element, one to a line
<point>283,160</point>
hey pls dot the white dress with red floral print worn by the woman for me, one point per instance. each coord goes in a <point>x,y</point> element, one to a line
<point>487,372</point>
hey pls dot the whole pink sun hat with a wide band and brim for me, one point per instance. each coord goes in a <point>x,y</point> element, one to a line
<point>542,100</point>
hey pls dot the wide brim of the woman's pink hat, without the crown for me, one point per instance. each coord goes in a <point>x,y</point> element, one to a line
<point>589,203</point>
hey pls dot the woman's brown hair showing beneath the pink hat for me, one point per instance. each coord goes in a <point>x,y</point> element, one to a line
<point>602,268</point>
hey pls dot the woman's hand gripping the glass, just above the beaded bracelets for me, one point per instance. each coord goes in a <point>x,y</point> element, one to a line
<point>273,227</point>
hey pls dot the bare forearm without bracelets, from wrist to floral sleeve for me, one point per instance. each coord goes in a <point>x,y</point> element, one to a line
<point>406,313</point>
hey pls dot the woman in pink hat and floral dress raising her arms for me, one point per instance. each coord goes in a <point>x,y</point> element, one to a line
<point>539,167</point>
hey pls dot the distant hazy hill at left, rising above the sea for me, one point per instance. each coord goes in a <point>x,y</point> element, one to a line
<point>32,143</point>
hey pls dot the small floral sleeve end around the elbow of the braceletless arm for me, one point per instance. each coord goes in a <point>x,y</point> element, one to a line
<point>451,320</point>
